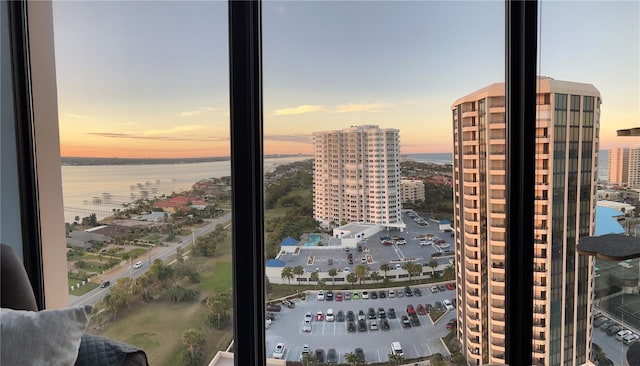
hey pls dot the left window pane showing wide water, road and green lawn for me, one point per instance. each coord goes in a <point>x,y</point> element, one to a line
<point>144,132</point>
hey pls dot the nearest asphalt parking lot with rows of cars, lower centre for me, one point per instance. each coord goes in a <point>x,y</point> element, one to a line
<point>419,340</point>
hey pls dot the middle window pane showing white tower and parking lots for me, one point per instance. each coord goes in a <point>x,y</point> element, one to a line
<point>362,92</point>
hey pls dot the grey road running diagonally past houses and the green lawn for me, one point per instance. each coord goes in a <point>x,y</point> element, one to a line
<point>94,296</point>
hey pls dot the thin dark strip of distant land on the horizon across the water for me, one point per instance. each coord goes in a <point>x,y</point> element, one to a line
<point>140,161</point>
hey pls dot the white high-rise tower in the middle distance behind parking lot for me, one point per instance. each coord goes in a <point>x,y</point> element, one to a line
<point>356,176</point>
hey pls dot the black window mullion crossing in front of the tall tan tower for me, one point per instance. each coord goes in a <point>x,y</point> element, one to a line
<point>521,57</point>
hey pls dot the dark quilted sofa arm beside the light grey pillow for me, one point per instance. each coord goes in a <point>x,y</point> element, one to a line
<point>100,351</point>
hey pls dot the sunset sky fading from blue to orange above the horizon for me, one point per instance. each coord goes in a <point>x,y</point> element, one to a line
<point>150,78</point>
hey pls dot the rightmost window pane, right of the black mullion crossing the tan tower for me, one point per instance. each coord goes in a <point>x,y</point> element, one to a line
<point>591,102</point>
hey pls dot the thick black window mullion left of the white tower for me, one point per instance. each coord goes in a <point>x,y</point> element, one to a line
<point>247,181</point>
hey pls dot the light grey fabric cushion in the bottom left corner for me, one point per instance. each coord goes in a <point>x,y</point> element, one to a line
<point>46,337</point>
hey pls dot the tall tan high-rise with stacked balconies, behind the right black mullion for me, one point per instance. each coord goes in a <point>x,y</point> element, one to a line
<point>567,125</point>
